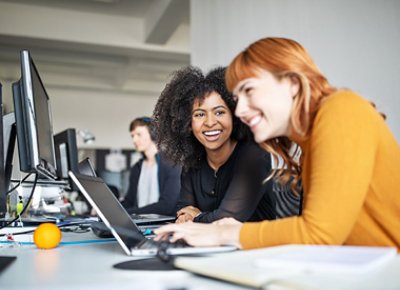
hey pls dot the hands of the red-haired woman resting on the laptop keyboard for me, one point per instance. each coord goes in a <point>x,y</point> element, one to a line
<point>222,232</point>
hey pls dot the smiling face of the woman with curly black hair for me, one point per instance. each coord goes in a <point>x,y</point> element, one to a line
<point>212,122</point>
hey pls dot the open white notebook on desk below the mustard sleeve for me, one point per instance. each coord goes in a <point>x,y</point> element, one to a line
<point>257,268</point>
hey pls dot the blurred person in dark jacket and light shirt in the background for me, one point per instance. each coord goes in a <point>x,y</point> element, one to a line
<point>154,182</point>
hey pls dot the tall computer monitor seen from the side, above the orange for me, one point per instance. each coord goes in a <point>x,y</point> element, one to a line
<point>33,121</point>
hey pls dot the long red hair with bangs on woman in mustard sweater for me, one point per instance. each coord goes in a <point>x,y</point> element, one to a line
<point>284,57</point>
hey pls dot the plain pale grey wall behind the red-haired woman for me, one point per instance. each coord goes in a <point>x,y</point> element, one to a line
<point>355,43</point>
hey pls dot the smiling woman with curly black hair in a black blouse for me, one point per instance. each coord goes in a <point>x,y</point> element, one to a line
<point>223,169</point>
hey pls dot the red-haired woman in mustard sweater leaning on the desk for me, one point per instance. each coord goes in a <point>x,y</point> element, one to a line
<point>350,165</point>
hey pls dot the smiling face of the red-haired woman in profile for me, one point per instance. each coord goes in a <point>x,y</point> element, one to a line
<point>264,103</point>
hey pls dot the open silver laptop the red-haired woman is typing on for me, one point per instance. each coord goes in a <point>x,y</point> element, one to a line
<point>124,229</point>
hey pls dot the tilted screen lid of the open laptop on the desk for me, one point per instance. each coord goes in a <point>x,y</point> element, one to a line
<point>109,209</point>
